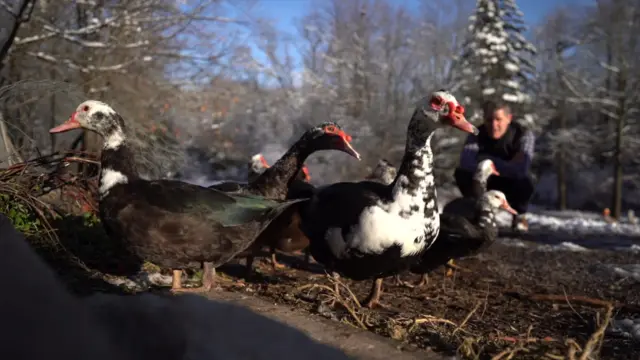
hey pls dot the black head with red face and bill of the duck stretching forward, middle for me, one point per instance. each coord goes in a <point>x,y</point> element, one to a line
<point>328,136</point>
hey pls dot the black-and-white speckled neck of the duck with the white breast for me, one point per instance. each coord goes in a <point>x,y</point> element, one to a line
<point>415,176</point>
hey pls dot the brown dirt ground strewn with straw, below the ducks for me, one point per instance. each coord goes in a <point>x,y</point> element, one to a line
<point>483,309</point>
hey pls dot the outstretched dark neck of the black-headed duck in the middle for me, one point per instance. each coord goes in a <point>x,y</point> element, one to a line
<point>274,182</point>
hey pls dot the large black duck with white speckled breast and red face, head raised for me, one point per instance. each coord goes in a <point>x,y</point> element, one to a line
<point>369,230</point>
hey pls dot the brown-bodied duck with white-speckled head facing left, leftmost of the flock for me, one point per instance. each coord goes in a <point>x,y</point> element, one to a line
<point>170,223</point>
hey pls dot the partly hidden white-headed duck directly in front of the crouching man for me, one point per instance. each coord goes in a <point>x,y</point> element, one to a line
<point>464,206</point>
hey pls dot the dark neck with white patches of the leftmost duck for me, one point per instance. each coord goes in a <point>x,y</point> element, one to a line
<point>117,163</point>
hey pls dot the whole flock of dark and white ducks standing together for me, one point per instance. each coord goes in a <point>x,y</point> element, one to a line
<point>380,227</point>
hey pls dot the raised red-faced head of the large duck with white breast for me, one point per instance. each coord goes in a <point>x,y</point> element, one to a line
<point>440,109</point>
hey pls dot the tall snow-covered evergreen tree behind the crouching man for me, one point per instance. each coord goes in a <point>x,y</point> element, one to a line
<point>495,63</point>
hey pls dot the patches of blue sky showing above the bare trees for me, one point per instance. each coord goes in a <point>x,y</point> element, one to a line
<point>286,12</point>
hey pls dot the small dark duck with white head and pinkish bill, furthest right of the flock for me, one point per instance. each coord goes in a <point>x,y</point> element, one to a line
<point>462,236</point>
